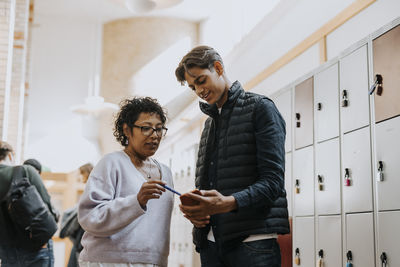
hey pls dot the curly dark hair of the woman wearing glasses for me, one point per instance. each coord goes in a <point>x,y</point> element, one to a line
<point>130,112</point>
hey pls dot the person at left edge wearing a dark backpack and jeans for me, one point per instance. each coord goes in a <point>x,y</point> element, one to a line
<point>11,254</point>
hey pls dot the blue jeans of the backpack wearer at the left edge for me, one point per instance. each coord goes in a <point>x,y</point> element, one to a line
<point>16,257</point>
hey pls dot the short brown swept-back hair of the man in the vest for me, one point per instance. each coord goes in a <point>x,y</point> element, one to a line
<point>201,56</point>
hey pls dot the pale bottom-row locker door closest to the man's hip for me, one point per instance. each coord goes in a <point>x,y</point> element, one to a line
<point>303,246</point>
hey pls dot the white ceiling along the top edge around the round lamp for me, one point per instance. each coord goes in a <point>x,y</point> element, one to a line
<point>193,10</point>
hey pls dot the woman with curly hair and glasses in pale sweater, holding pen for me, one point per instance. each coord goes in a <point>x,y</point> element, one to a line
<point>125,210</point>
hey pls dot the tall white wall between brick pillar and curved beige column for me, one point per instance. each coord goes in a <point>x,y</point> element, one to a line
<point>62,60</point>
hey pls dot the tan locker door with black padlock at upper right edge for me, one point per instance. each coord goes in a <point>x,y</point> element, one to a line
<point>386,54</point>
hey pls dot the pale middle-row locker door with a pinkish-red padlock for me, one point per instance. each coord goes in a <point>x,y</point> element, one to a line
<point>356,171</point>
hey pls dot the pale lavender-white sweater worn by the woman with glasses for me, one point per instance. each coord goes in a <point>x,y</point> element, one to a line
<point>117,229</point>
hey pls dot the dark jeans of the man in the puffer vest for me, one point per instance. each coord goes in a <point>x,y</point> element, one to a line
<point>261,253</point>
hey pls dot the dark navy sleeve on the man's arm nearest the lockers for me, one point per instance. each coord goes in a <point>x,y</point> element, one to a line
<point>270,141</point>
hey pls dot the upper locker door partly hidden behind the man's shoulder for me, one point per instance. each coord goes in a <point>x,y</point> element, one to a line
<point>284,105</point>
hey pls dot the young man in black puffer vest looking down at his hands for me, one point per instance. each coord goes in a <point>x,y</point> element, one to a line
<point>240,169</point>
